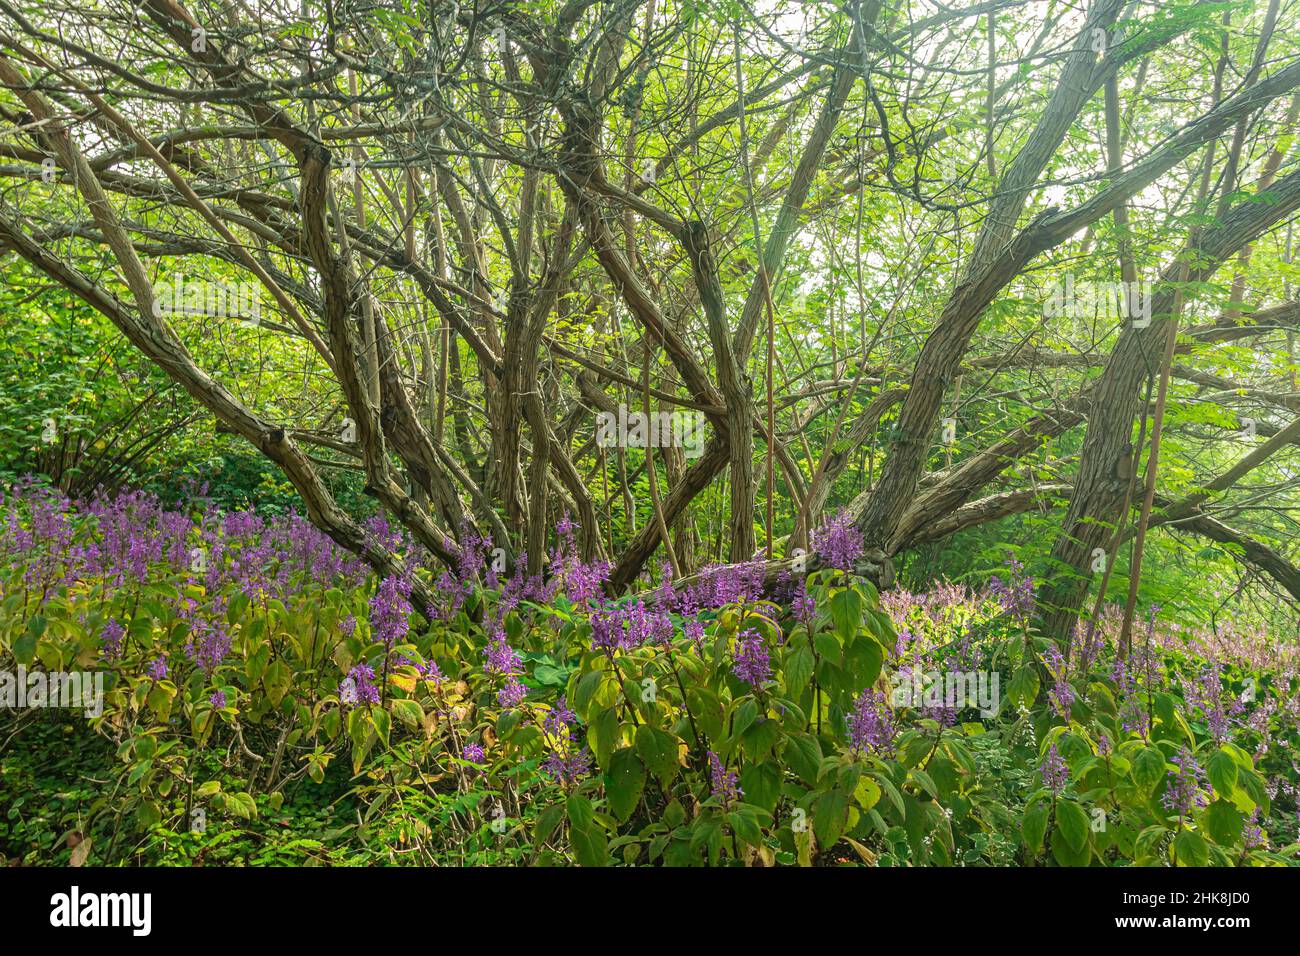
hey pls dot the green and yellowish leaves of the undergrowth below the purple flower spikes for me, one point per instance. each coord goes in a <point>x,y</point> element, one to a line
<point>675,760</point>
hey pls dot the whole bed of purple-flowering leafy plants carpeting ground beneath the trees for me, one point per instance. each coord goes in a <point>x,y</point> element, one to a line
<point>261,681</point>
